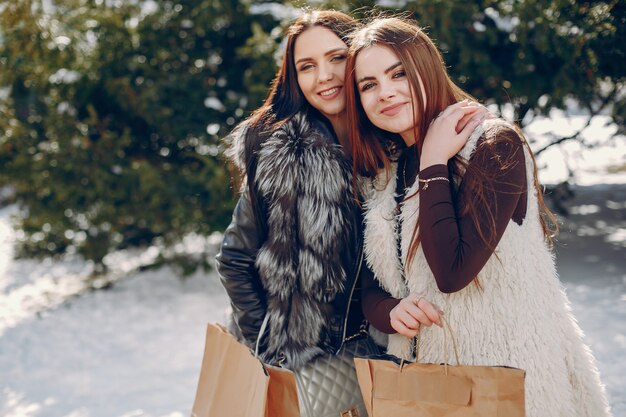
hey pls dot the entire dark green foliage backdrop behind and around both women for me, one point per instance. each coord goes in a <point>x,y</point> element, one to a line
<point>111,112</point>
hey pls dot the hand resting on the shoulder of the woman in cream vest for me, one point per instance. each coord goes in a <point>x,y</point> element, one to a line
<point>443,140</point>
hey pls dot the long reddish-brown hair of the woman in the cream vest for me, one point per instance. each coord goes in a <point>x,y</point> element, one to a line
<point>421,59</point>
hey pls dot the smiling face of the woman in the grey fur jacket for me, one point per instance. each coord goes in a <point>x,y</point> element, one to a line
<point>320,61</point>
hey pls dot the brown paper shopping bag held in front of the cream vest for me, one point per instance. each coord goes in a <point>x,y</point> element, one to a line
<point>394,388</point>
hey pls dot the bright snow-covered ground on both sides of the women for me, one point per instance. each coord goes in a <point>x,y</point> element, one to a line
<point>135,348</point>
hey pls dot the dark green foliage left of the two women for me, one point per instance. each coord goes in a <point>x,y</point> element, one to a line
<point>111,117</point>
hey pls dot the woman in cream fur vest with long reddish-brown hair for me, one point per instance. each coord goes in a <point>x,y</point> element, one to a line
<point>457,218</point>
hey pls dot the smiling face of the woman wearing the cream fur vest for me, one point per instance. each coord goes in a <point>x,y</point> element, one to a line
<point>386,95</point>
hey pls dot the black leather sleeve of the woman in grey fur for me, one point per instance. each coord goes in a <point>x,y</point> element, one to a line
<point>237,271</point>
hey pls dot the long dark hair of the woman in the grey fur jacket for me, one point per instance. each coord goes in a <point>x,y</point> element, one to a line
<point>285,98</point>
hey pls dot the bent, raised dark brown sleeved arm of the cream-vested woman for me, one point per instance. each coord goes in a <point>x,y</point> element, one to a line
<point>451,240</point>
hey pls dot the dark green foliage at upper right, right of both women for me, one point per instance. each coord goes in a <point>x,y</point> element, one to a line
<point>534,54</point>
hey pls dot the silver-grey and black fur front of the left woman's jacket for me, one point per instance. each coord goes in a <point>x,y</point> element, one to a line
<point>306,184</point>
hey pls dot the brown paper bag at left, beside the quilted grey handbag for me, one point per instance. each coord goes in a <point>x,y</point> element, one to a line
<point>234,383</point>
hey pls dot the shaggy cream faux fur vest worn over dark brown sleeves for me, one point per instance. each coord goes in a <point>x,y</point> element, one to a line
<point>519,316</point>
